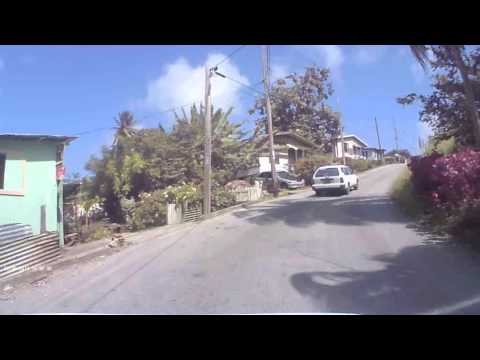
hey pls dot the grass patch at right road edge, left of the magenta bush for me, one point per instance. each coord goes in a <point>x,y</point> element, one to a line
<point>403,194</point>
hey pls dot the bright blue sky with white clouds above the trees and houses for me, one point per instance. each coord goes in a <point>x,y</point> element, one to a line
<point>74,89</point>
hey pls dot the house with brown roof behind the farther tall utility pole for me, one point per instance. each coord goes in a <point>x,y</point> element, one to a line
<point>288,148</point>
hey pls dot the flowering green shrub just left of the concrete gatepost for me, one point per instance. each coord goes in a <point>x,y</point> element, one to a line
<point>149,211</point>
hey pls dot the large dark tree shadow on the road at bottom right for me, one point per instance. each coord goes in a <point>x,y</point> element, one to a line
<point>443,279</point>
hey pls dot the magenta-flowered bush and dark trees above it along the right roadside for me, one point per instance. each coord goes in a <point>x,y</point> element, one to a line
<point>442,187</point>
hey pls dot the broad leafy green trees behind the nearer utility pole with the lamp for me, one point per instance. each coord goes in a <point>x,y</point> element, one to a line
<point>151,159</point>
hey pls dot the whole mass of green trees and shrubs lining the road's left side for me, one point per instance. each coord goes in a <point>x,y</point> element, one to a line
<point>134,178</point>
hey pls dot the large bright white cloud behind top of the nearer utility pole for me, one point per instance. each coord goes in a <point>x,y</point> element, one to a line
<point>181,83</point>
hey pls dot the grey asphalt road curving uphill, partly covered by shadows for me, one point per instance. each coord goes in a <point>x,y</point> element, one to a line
<point>301,254</point>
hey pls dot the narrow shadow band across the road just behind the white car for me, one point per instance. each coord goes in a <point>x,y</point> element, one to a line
<point>344,210</point>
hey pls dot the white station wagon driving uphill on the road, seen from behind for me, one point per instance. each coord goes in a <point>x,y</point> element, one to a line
<point>334,177</point>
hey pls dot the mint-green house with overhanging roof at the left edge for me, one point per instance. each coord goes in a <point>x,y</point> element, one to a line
<point>31,174</point>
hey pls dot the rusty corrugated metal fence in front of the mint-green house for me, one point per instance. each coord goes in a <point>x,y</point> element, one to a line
<point>20,251</point>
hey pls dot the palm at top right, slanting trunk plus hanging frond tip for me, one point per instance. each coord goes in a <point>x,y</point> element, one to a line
<point>455,52</point>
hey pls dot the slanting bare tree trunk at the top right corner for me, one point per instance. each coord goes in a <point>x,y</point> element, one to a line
<point>455,51</point>
